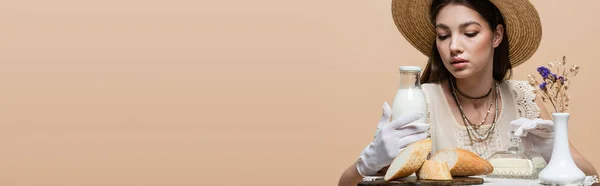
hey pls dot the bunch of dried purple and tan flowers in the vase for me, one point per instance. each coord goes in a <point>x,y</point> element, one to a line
<point>554,86</point>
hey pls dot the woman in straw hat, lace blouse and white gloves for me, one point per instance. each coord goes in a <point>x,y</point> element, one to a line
<point>472,46</point>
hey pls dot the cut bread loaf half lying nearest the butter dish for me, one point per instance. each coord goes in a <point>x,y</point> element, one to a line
<point>463,163</point>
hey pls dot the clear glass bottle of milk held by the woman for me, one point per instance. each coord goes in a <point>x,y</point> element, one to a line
<point>409,98</point>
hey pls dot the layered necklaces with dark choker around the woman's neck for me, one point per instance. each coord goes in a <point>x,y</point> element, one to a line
<point>472,129</point>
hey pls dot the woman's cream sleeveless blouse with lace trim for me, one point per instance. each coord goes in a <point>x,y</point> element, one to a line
<point>448,132</point>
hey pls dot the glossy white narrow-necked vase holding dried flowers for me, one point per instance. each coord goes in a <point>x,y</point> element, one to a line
<point>561,169</point>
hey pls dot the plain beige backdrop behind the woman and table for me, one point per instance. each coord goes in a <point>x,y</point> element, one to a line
<point>262,92</point>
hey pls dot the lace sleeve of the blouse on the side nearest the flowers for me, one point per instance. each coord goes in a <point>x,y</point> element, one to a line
<point>524,99</point>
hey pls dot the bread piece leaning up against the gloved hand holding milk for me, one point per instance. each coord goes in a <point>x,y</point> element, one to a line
<point>409,160</point>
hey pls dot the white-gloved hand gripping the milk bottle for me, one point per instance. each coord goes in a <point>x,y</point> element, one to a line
<point>390,138</point>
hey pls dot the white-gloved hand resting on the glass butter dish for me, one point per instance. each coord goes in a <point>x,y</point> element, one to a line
<point>538,127</point>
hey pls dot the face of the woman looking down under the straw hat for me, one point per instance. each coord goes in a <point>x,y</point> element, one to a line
<point>465,41</point>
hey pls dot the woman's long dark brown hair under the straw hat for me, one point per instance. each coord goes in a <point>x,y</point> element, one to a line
<point>435,71</point>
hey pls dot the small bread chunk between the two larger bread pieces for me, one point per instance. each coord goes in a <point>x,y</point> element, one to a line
<point>434,170</point>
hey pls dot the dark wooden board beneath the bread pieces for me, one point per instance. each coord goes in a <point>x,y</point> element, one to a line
<point>415,181</point>
